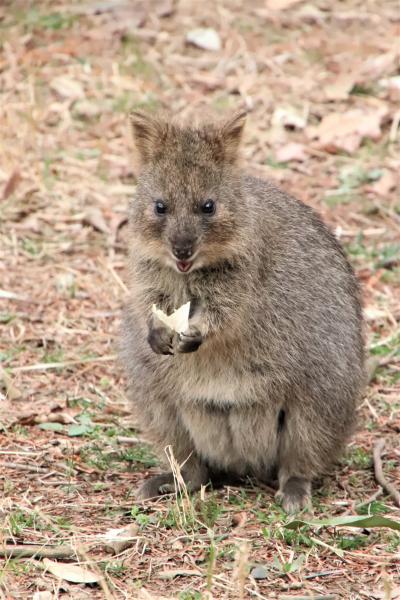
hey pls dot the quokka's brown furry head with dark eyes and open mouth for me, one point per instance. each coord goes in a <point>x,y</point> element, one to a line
<point>187,211</point>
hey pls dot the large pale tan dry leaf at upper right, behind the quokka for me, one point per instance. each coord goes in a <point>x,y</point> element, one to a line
<point>346,131</point>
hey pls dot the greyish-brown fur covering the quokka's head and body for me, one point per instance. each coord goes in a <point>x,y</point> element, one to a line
<point>267,377</point>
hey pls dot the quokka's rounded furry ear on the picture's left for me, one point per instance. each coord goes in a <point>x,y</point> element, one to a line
<point>149,133</point>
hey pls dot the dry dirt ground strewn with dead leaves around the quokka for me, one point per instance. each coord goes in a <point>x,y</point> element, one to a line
<point>321,82</point>
